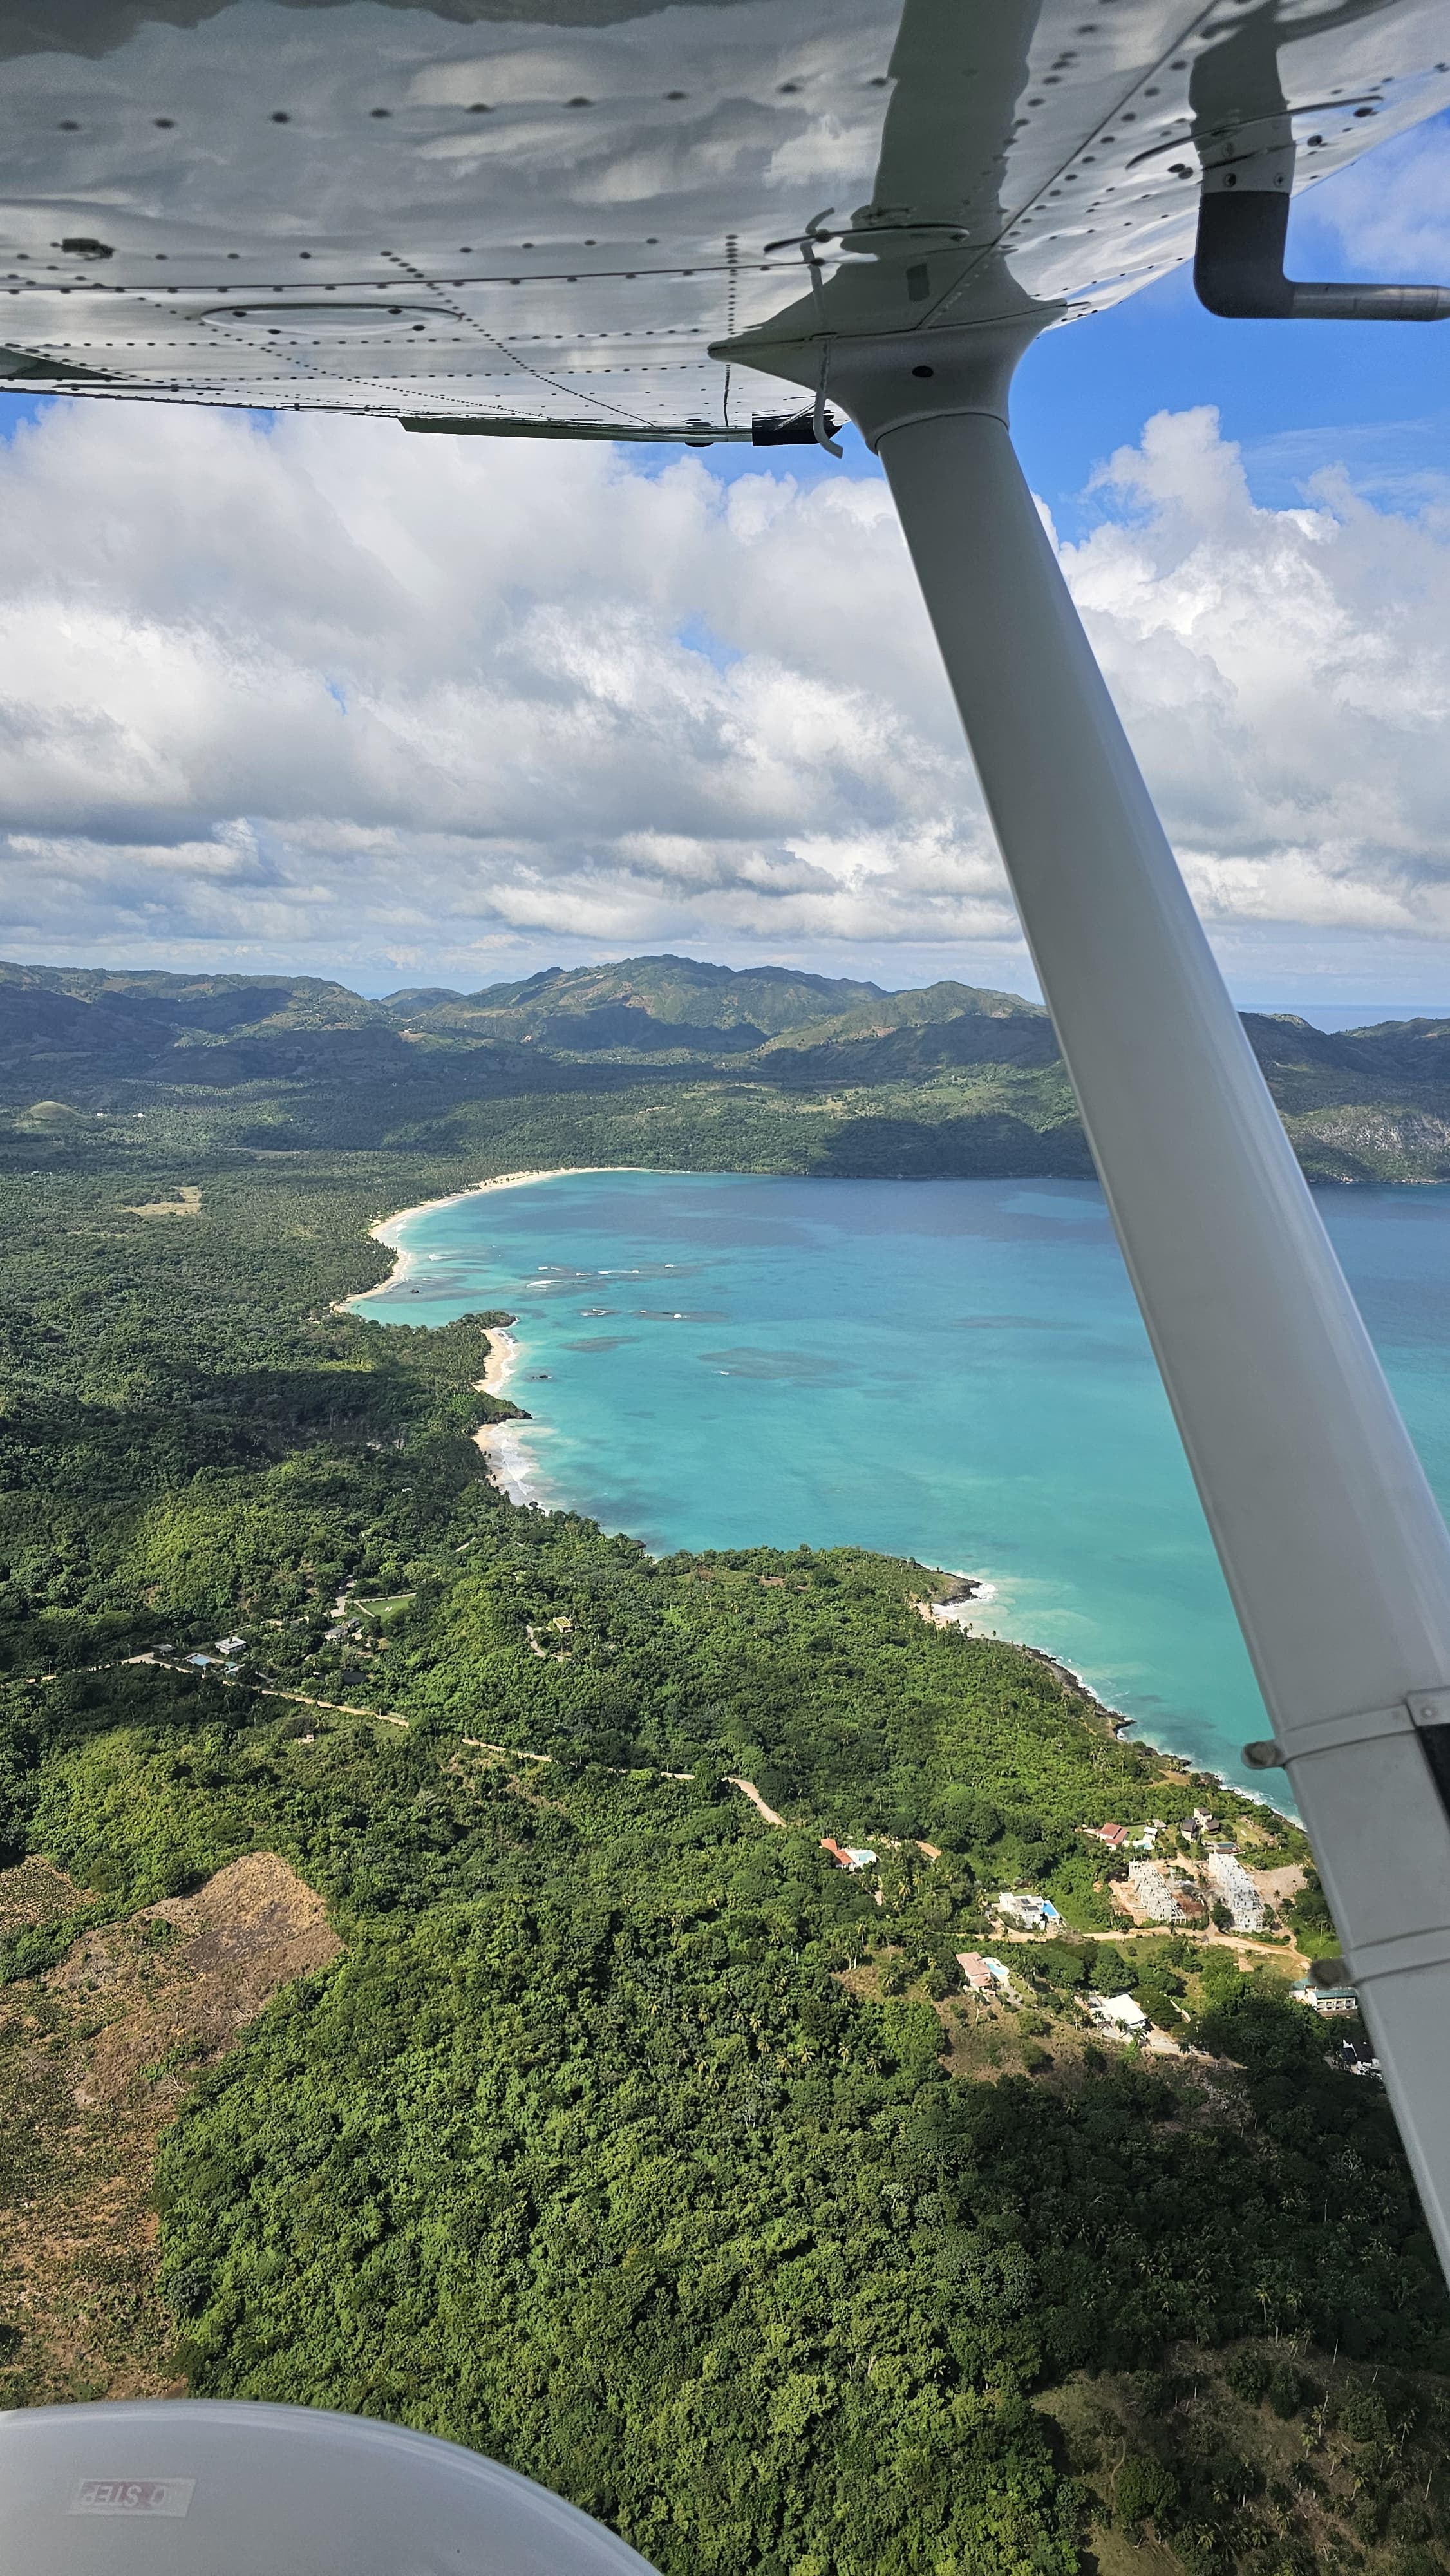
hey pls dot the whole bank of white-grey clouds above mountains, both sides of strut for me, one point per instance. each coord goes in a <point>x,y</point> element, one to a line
<point>331,697</point>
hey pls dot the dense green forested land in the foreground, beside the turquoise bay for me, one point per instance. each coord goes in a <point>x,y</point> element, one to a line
<point>630,2139</point>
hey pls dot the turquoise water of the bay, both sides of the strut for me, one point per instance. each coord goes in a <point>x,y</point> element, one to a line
<point>952,1372</point>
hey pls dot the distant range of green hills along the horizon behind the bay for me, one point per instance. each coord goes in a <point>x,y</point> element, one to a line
<point>655,1063</point>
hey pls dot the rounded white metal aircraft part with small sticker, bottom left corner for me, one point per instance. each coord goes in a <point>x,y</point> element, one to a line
<point>205,2490</point>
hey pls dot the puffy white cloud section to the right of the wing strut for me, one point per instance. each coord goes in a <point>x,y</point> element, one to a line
<point>1286,679</point>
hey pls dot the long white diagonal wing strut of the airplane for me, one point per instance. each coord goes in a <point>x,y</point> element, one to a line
<point>1335,1552</point>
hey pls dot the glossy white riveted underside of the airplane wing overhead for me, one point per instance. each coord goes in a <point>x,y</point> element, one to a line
<point>545,225</point>
